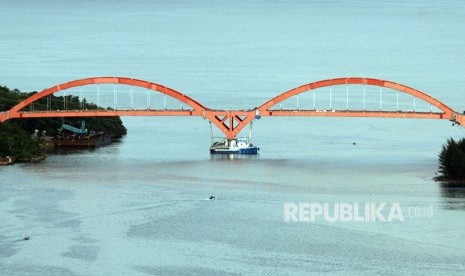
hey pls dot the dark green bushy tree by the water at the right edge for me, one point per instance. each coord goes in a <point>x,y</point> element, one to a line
<point>452,161</point>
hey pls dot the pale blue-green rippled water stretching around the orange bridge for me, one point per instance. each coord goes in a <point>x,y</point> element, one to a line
<point>140,207</point>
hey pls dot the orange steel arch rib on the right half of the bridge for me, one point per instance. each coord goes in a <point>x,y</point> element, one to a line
<point>266,111</point>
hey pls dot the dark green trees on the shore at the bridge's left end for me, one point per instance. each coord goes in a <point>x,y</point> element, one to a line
<point>15,135</point>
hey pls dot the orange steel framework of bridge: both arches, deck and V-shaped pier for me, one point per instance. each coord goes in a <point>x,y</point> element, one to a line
<point>231,122</point>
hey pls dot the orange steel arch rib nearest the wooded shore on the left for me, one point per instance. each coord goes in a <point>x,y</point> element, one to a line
<point>196,106</point>
